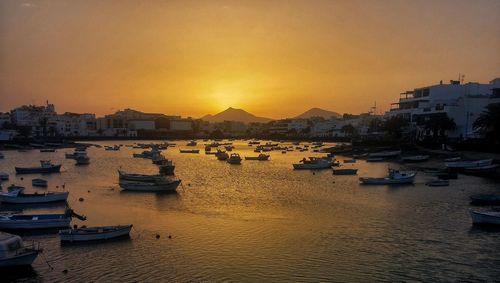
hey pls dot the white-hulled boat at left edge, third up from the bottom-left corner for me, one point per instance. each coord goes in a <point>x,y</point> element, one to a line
<point>16,195</point>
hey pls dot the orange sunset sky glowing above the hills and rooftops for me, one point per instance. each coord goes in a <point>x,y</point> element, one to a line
<point>273,58</point>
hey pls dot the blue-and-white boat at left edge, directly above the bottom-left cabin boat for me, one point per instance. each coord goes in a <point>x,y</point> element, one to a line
<point>34,221</point>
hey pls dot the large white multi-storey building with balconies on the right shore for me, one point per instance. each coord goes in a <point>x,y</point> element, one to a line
<point>461,102</point>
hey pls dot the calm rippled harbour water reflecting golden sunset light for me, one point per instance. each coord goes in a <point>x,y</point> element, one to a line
<point>261,221</point>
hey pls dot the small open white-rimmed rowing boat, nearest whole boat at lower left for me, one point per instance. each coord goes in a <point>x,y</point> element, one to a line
<point>85,234</point>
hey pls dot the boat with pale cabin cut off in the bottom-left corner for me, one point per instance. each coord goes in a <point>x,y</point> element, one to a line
<point>13,251</point>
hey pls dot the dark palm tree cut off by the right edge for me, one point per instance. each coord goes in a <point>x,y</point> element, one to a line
<point>488,122</point>
